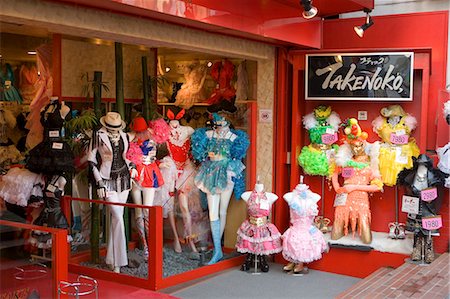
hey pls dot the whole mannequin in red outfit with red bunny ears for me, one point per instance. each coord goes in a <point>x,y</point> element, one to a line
<point>179,146</point>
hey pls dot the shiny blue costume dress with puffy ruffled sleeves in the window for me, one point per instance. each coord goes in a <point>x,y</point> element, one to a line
<point>215,175</point>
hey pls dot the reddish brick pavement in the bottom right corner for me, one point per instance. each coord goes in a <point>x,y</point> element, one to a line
<point>407,281</point>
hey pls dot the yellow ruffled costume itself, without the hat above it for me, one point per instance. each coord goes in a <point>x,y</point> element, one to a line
<point>395,157</point>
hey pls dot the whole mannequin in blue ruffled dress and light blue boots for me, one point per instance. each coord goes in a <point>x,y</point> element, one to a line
<point>219,152</point>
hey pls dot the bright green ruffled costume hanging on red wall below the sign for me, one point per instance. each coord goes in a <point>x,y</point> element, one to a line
<point>318,157</point>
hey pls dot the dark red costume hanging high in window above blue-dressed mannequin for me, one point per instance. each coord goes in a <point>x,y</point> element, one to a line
<point>224,95</point>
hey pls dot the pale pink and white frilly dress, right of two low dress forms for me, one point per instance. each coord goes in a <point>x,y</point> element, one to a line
<point>303,242</point>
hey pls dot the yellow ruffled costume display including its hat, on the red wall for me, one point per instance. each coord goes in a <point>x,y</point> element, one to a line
<point>397,147</point>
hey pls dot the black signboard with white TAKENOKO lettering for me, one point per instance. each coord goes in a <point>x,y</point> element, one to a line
<point>360,76</point>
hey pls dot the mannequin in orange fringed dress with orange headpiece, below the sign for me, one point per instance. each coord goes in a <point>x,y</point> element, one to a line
<point>360,172</point>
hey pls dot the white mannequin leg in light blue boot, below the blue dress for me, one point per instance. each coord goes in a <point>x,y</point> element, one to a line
<point>213,204</point>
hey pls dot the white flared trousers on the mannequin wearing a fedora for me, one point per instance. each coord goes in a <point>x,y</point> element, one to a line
<point>116,255</point>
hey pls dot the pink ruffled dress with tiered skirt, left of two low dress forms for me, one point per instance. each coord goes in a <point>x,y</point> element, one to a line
<point>256,234</point>
